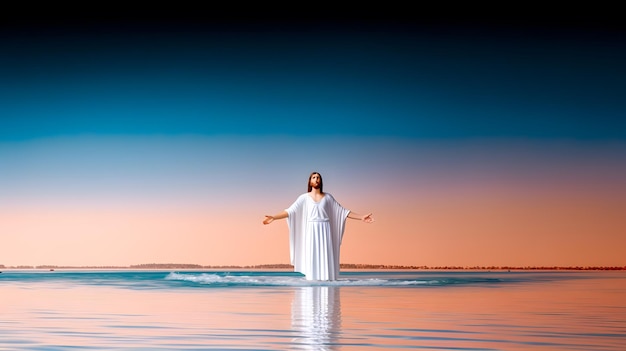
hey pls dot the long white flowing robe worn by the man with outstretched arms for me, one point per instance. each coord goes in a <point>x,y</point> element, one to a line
<point>315,233</point>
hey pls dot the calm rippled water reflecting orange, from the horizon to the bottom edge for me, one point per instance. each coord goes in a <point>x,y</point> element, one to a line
<point>428,310</point>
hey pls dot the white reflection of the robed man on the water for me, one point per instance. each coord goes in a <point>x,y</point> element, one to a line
<point>316,317</point>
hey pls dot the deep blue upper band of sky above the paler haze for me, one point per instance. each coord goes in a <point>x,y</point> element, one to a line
<point>405,75</point>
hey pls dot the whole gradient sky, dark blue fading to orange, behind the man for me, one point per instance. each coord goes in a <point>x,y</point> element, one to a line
<point>128,141</point>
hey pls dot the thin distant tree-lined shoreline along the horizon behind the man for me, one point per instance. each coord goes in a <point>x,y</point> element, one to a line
<point>155,266</point>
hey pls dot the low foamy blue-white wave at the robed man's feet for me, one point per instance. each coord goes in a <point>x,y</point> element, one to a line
<point>212,279</point>
